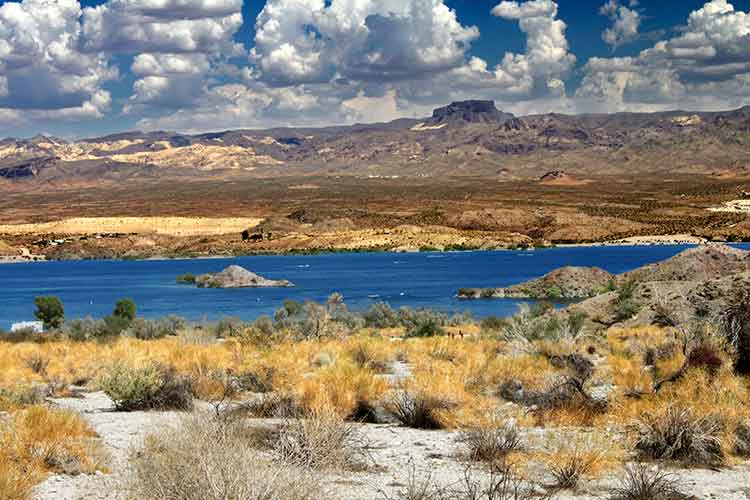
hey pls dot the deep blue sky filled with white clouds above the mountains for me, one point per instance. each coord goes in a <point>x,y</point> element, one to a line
<point>75,69</point>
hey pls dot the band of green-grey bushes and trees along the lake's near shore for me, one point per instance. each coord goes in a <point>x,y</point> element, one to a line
<point>301,320</point>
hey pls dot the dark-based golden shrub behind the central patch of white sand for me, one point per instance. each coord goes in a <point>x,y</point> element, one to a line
<point>417,409</point>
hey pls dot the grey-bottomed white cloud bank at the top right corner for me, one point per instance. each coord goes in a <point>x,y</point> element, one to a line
<point>706,66</point>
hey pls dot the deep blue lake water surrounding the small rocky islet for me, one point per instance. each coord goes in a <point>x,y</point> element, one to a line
<point>427,280</point>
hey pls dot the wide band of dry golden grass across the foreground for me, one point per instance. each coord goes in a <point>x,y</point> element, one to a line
<point>454,382</point>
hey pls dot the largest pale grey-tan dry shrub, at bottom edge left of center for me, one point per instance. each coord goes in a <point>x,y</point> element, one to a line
<point>213,459</point>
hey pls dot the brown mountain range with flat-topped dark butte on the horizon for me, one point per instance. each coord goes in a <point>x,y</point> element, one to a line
<point>470,138</point>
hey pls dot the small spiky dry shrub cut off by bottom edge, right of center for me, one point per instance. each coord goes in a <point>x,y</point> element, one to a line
<point>640,482</point>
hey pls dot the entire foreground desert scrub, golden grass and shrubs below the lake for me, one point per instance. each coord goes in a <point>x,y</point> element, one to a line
<point>537,405</point>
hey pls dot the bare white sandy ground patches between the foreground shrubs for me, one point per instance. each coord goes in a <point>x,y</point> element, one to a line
<point>397,452</point>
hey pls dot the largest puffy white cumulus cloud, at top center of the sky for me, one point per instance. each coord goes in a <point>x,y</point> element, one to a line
<point>315,41</point>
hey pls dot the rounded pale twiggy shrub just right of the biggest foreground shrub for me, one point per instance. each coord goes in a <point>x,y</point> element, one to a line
<point>321,440</point>
